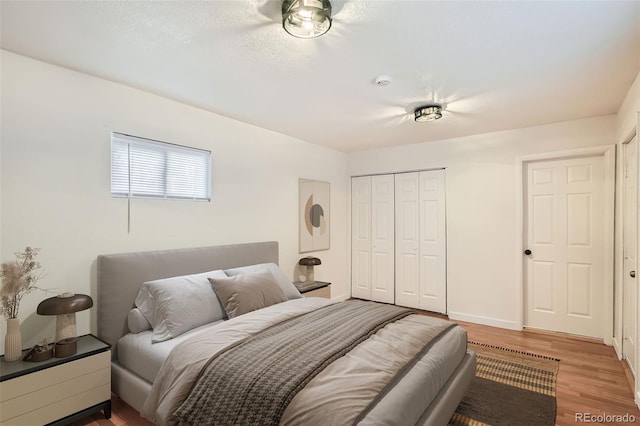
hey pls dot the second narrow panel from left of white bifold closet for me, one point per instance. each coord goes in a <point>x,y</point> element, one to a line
<point>382,249</point>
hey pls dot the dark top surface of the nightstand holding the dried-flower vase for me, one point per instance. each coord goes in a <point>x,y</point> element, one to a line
<point>87,345</point>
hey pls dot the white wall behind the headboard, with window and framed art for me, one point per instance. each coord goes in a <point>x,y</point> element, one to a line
<point>55,192</point>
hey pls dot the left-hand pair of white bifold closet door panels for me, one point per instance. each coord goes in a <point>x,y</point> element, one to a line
<point>372,228</point>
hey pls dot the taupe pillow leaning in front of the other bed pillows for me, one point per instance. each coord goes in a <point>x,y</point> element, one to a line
<point>247,292</point>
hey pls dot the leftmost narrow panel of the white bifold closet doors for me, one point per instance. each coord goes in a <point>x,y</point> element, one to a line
<point>361,240</point>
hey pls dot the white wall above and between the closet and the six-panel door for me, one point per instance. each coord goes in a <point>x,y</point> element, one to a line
<point>482,210</point>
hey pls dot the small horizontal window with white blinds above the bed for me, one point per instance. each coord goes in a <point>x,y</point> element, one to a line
<point>144,168</point>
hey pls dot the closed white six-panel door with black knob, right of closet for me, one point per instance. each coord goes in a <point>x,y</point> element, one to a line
<point>565,232</point>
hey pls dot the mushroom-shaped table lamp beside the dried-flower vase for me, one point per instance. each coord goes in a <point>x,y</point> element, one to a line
<point>65,306</point>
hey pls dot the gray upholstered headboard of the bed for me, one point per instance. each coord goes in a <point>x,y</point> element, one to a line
<point>120,276</point>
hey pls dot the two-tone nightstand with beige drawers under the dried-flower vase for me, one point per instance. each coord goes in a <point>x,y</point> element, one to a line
<point>59,390</point>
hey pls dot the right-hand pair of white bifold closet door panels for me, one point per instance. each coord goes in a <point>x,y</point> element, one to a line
<point>420,240</point>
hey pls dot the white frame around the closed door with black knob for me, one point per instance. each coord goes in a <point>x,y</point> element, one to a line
<point>608,153</point>
